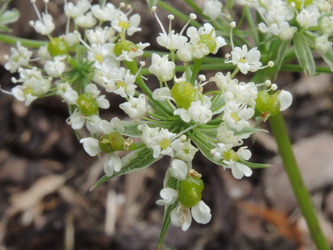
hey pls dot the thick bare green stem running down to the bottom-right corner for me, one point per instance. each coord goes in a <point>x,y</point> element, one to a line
<point>281,136</point>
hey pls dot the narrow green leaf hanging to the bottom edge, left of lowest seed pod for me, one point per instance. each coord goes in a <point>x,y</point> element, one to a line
<point>174,184</point>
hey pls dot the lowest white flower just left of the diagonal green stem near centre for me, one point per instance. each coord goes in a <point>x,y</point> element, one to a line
<point>135,107</point>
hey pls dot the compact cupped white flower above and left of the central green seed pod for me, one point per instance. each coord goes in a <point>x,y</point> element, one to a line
<point>162,67</point>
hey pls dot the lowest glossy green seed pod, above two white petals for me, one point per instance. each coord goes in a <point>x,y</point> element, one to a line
<point>190,191</point>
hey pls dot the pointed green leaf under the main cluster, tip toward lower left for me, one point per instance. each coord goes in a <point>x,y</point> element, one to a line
<point>133,161</point>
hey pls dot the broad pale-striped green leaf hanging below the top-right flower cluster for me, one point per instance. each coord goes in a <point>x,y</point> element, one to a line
<point>304,54</point>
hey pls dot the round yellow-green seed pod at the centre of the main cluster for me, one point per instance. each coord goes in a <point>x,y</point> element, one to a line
<point>184,94</point>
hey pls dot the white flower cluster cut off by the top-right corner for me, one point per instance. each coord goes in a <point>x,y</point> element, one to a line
<point>286,18</point>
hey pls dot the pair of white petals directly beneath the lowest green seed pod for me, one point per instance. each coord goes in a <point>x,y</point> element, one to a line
<point>181,216</point>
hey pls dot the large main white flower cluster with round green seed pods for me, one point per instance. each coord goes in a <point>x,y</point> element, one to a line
<point>176,119</point>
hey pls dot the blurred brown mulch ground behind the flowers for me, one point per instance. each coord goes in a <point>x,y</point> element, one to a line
<point>45,174</point>
